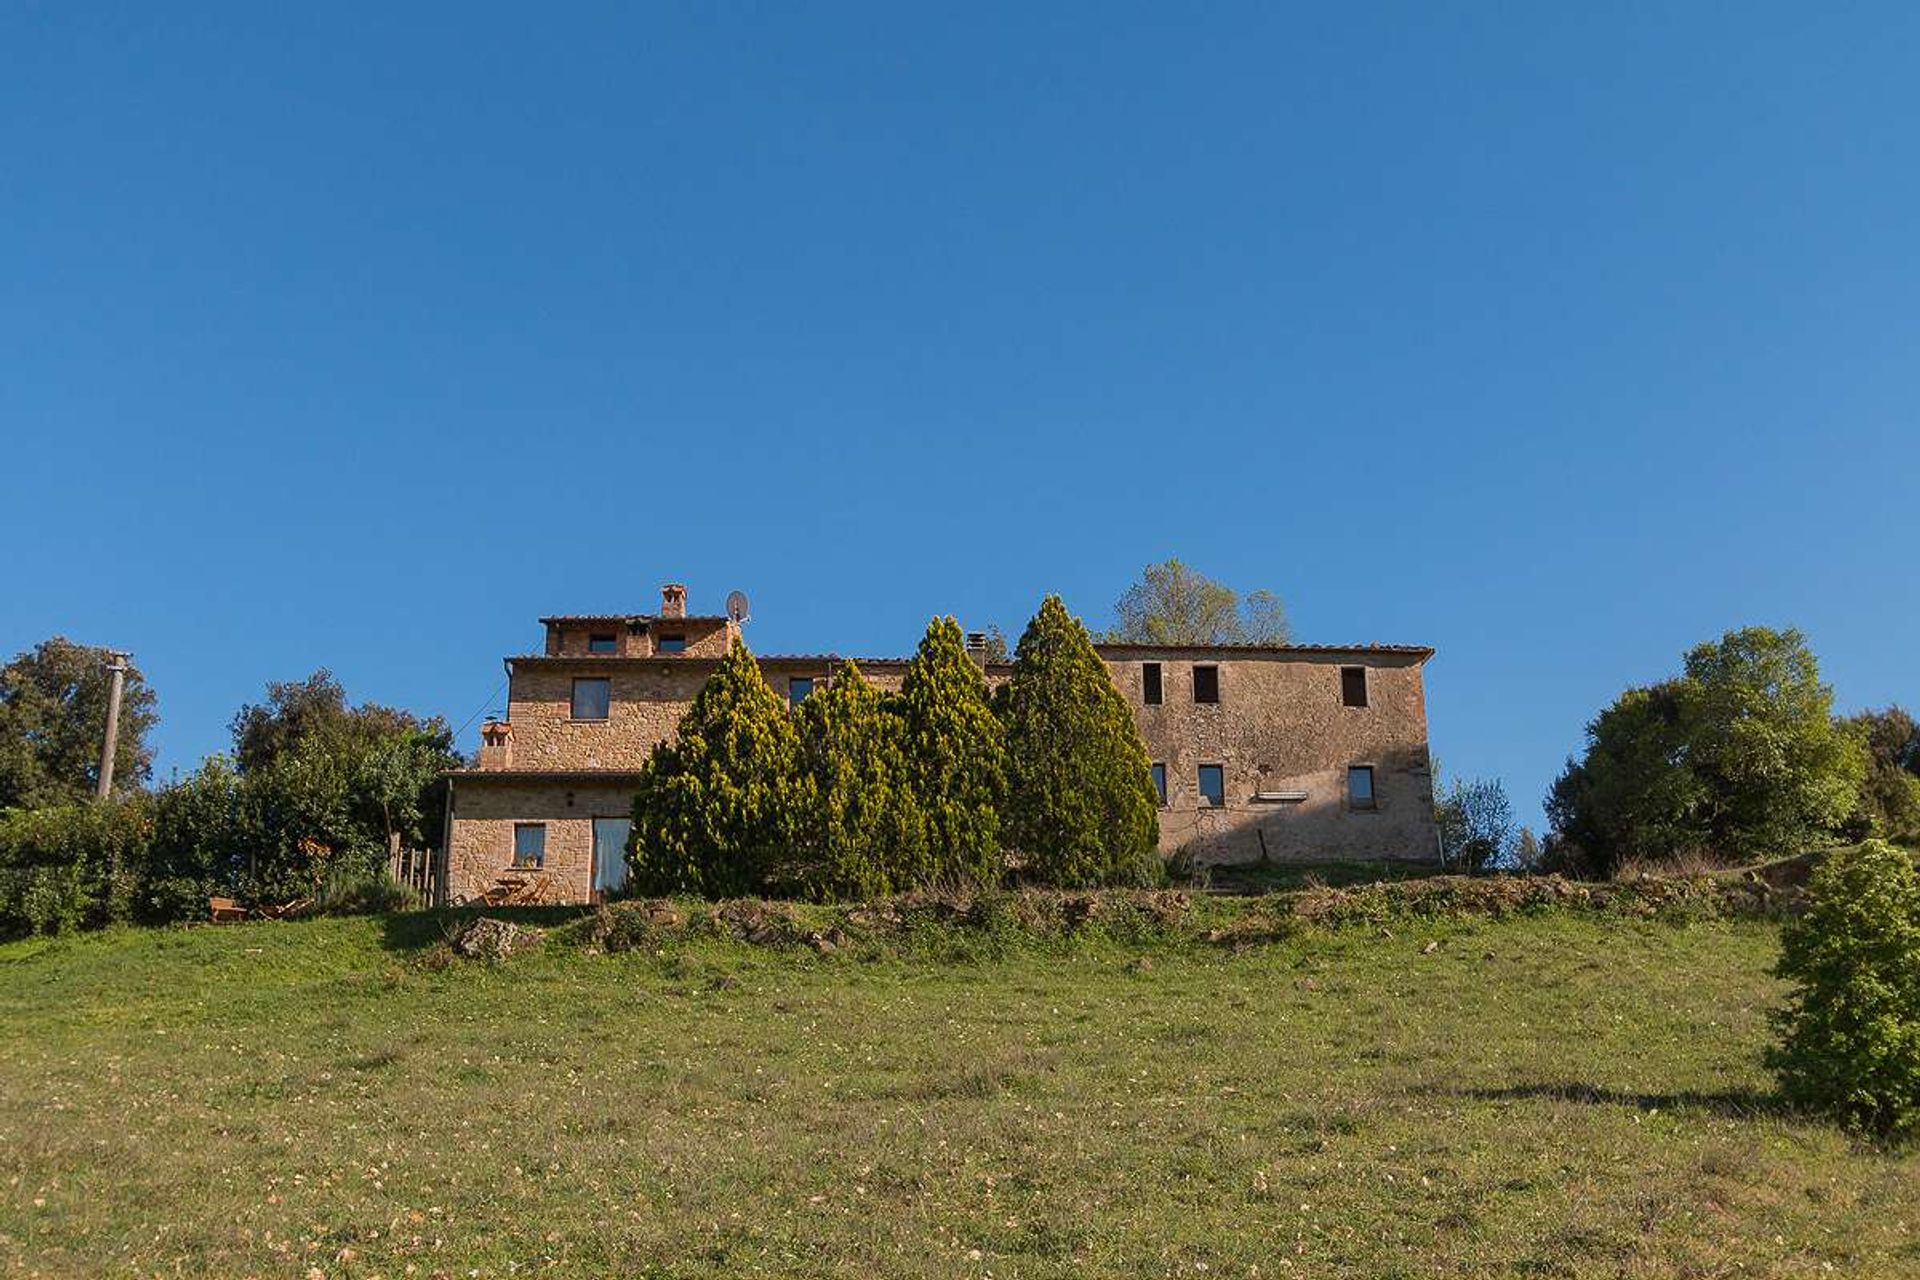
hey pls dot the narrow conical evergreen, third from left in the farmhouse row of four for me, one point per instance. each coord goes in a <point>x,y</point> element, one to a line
<point>955,757</point>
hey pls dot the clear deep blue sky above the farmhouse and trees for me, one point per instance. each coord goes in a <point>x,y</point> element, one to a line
<point>354,339</point>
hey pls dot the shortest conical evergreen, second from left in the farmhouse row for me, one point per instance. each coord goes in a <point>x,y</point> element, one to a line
<point>857,828</point>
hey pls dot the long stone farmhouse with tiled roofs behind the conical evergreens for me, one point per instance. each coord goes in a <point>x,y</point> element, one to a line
<point>1285,753</point>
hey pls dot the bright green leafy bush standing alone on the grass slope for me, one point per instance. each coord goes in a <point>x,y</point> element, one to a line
<point>1850,1037</point>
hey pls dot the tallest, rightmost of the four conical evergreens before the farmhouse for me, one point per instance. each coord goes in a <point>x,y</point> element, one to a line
<point>1082,805</point>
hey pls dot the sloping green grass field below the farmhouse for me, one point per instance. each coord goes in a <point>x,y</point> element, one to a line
<point>1541,1097</point>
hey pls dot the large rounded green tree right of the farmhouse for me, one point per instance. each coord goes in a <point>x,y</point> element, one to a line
<point>1737,759</point>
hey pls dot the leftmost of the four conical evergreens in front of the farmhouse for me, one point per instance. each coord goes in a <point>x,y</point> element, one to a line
<point>715,807</point>
